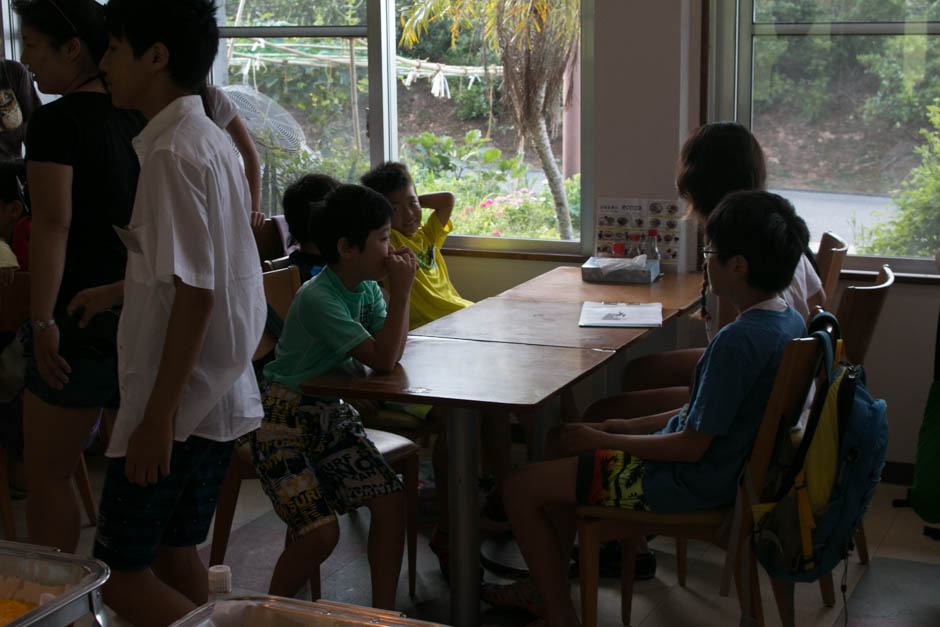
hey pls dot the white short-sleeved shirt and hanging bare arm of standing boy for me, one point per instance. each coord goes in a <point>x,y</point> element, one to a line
<point>190,220</point>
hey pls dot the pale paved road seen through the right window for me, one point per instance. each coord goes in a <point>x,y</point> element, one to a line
<point>825,211</point>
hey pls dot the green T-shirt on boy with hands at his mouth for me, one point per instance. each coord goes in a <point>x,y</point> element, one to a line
<point>323,324</point>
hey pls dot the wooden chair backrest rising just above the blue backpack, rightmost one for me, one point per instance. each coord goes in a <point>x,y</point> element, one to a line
<point>858,312</point>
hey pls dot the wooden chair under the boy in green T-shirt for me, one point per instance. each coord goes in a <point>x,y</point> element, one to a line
<point>400,453</point>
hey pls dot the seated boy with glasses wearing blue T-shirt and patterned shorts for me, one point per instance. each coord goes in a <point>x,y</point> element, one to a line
<point>678,463</point>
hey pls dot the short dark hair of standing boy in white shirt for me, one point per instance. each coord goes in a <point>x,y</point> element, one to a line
<point>186,27</point>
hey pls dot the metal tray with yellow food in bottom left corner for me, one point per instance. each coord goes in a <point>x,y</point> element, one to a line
<point>81,576</point>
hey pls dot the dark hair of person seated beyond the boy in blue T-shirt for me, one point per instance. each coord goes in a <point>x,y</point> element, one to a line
<point>716,159</point>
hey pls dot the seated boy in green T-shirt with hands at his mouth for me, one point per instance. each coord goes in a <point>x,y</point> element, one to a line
<point>312,453</point>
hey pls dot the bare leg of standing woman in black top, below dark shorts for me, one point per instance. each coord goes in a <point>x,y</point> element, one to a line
<point>54,438</point>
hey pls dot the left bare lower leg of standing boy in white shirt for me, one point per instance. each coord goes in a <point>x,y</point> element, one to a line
<point>142,599</point>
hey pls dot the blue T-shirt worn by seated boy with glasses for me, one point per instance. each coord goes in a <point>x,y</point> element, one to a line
<point>733,380</point>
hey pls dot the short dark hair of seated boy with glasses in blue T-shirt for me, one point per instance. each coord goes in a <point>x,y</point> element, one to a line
<point>764,229</point>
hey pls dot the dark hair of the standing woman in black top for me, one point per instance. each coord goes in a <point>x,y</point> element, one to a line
<point>61,20</point>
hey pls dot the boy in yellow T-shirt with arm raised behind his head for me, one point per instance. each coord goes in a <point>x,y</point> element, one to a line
<point>434,296</point>
